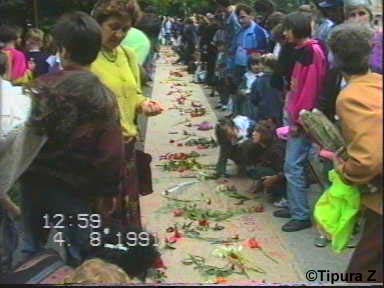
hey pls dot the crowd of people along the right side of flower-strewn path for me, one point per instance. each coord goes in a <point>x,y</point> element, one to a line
<point>265,70</point>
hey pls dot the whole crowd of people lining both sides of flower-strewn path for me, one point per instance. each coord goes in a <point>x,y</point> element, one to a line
<point>73,97</point>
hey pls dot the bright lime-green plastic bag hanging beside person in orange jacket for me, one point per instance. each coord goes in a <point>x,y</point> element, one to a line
<point>337,211</point>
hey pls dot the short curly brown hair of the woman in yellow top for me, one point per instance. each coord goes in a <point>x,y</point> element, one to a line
<point>105,9</point>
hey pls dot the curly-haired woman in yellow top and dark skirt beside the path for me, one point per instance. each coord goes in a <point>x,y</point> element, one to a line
<point>118,69</point>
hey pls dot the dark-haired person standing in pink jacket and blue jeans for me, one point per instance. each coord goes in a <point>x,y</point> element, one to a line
<point>307,82</point>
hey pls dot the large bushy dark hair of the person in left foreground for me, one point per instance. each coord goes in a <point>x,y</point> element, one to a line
<point>78,99</point>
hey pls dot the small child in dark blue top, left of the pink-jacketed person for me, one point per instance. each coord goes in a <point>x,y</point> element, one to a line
<point>267,99</point>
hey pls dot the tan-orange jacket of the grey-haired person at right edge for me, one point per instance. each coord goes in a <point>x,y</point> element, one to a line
<point>360,108</point>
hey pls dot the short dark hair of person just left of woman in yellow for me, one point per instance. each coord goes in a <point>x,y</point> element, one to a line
<point>80,35</point>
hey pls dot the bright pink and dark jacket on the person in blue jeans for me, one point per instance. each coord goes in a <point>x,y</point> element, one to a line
<point>308,79</point>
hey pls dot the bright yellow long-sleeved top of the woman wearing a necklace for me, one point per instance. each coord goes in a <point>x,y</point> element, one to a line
<point>122,76</point>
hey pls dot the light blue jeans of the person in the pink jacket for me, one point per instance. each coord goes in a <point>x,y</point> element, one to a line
<point>295,170</point>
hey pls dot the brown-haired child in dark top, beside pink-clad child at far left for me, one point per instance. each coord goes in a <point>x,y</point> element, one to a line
<point>34,42</point>
